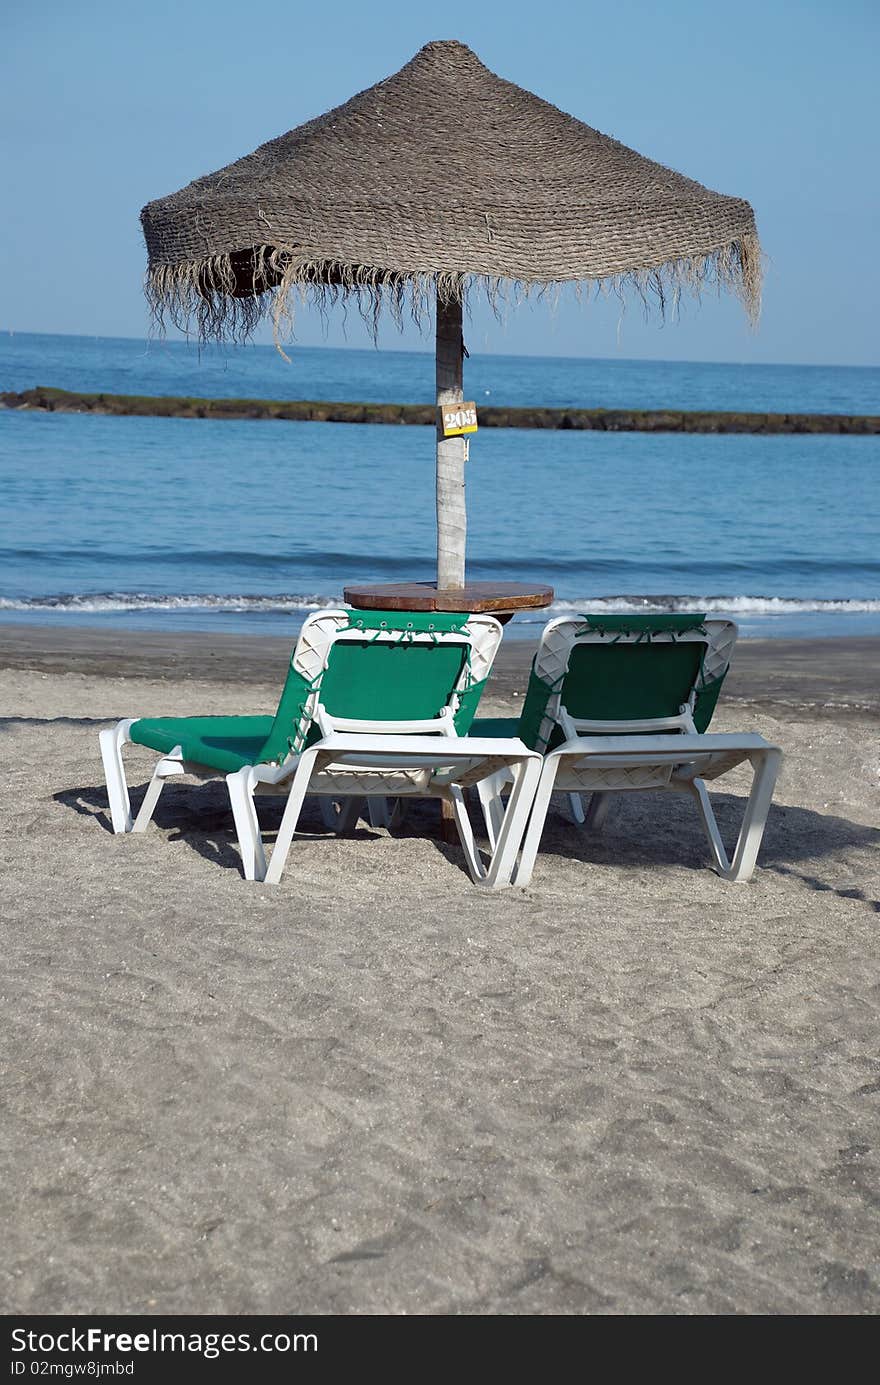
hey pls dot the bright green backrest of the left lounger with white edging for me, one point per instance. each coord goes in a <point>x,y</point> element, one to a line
<point>382,667</point>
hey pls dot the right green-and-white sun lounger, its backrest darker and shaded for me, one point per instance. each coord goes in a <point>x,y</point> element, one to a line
<point>623,703</point>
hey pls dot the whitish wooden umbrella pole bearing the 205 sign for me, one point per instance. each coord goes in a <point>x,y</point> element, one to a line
<point>451,513</point>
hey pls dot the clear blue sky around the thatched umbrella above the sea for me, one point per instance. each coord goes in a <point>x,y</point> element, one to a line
<point>107,105</point>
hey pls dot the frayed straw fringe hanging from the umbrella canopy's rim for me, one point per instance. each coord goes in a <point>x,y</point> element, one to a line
<point>199,297</point>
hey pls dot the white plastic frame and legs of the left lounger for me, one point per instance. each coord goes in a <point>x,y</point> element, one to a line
<point>357,760</point>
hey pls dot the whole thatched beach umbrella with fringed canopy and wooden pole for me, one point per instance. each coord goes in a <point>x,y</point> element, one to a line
<point>439,181</point>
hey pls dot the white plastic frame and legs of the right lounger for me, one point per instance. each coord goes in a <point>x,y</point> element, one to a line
<point>620,757</point>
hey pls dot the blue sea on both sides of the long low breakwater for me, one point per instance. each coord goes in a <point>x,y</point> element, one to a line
<point>246,527</point>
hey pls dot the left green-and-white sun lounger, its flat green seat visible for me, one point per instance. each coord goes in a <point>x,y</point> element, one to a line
<point>376,704</point>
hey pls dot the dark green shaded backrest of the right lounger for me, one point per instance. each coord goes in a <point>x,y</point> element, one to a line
<point>624,670</point>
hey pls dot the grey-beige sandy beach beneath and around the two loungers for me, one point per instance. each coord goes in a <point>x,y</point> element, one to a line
<point>630,1089</point>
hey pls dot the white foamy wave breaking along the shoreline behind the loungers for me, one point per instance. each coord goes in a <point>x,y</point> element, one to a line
<point>110,602</point>
